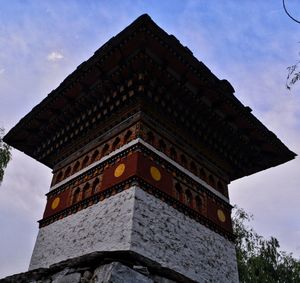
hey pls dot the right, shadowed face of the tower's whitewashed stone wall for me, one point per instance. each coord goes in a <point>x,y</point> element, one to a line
<point>176,241</point>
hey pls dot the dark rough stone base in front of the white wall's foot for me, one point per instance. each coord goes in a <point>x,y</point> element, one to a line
<point>101,267</point>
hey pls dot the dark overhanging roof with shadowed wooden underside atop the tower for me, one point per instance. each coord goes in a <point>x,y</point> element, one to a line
<point>145,66</point>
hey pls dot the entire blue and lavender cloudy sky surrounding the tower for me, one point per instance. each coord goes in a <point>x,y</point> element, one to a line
<point>250,43</point>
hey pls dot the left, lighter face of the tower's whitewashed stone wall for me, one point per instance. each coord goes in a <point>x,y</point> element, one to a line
<point>105,226</point>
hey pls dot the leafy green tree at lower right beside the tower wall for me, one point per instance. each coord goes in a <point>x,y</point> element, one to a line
<point>260,260</point>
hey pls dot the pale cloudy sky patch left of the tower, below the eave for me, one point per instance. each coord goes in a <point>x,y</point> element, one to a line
<point>22,201</point>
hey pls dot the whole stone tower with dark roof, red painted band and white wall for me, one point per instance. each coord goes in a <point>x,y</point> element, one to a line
<point>143,141</point>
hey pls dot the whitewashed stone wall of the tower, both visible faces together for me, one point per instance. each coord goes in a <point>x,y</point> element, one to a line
<point>134,220</point>
